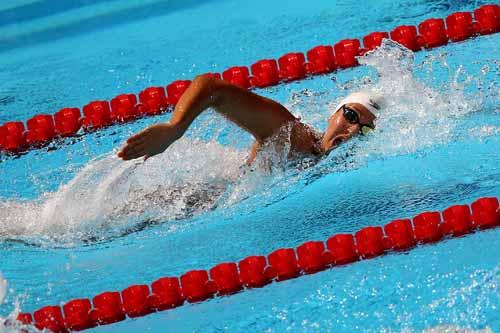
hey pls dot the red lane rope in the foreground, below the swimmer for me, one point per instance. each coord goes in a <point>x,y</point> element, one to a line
<point>257,271</point>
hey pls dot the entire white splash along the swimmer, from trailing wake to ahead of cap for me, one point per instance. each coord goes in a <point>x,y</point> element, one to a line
<point>109,197</point>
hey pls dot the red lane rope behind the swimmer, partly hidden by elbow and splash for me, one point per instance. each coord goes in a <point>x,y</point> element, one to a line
<point>434,32</point>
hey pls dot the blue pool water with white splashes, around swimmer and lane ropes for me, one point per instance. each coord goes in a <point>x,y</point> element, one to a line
<point>76,221</point>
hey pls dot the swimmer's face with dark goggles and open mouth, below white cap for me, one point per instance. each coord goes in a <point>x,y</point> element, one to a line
<point>341,129</point>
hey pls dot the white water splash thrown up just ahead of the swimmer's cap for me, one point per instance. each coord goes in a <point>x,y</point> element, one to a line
<point>416,116</point>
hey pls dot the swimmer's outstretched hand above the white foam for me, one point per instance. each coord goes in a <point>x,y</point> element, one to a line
<point>151,141</point>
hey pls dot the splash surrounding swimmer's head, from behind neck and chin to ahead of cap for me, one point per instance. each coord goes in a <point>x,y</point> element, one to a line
<point>416,115</point>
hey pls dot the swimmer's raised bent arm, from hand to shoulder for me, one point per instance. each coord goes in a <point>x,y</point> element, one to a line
<point>258,115</point>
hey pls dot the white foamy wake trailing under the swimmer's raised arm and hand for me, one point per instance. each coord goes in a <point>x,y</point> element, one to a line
<point>109,195</point>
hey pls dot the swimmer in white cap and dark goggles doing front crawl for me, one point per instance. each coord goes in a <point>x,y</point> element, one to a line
<point>260,116</point>
